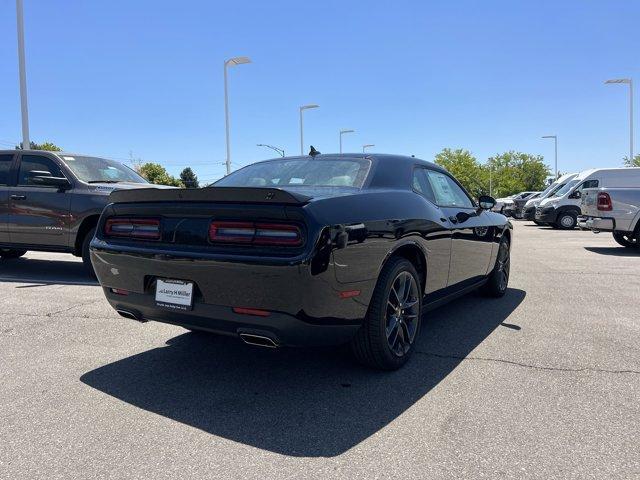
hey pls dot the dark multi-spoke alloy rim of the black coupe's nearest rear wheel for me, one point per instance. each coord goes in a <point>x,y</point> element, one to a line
<point>403,308</point>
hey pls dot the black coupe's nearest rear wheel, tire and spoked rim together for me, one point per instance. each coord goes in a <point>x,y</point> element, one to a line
<point>375,345</point>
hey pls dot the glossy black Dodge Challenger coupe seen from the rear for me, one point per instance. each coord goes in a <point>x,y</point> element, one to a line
<point>316,250</point>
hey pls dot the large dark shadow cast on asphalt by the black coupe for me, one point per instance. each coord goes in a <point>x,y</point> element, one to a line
<point>296,402</point>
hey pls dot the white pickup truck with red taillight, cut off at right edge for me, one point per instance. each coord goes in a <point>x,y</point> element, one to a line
<point>615,210</point>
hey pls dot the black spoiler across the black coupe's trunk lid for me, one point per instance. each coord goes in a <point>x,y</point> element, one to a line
<point>210,194</point>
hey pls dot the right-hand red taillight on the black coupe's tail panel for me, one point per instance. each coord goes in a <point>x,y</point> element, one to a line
<point>255,233</point>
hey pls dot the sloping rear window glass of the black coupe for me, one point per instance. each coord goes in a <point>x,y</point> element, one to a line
<point>300,172</point>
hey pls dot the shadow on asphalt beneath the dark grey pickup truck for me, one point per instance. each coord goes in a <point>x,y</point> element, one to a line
<point>44,272</point>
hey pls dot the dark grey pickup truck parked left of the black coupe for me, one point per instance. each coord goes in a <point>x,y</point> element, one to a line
<point>51,201</point>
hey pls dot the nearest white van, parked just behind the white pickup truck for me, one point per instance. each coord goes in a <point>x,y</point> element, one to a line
<point>561,209</point>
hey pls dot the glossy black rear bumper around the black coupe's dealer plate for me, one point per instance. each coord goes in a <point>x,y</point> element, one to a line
<point>303,308</point>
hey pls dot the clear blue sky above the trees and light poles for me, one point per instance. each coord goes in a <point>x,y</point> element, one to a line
<point>114,77</point>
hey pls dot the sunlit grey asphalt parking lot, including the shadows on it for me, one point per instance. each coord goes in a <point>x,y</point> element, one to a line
<point>544,383</point>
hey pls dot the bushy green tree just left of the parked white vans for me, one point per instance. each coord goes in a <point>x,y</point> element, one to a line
<point>514,172</point>
